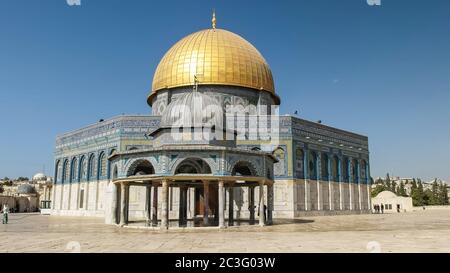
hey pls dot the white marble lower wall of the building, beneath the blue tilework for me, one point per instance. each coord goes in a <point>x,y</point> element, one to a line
<point>292,198</point>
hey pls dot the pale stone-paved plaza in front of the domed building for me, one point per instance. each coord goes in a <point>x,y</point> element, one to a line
<point>419,231</point>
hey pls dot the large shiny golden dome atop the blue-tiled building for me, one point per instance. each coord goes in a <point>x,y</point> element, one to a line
<point>214,56</point>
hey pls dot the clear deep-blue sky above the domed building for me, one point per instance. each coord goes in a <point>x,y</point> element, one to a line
<point>380,71</point>
